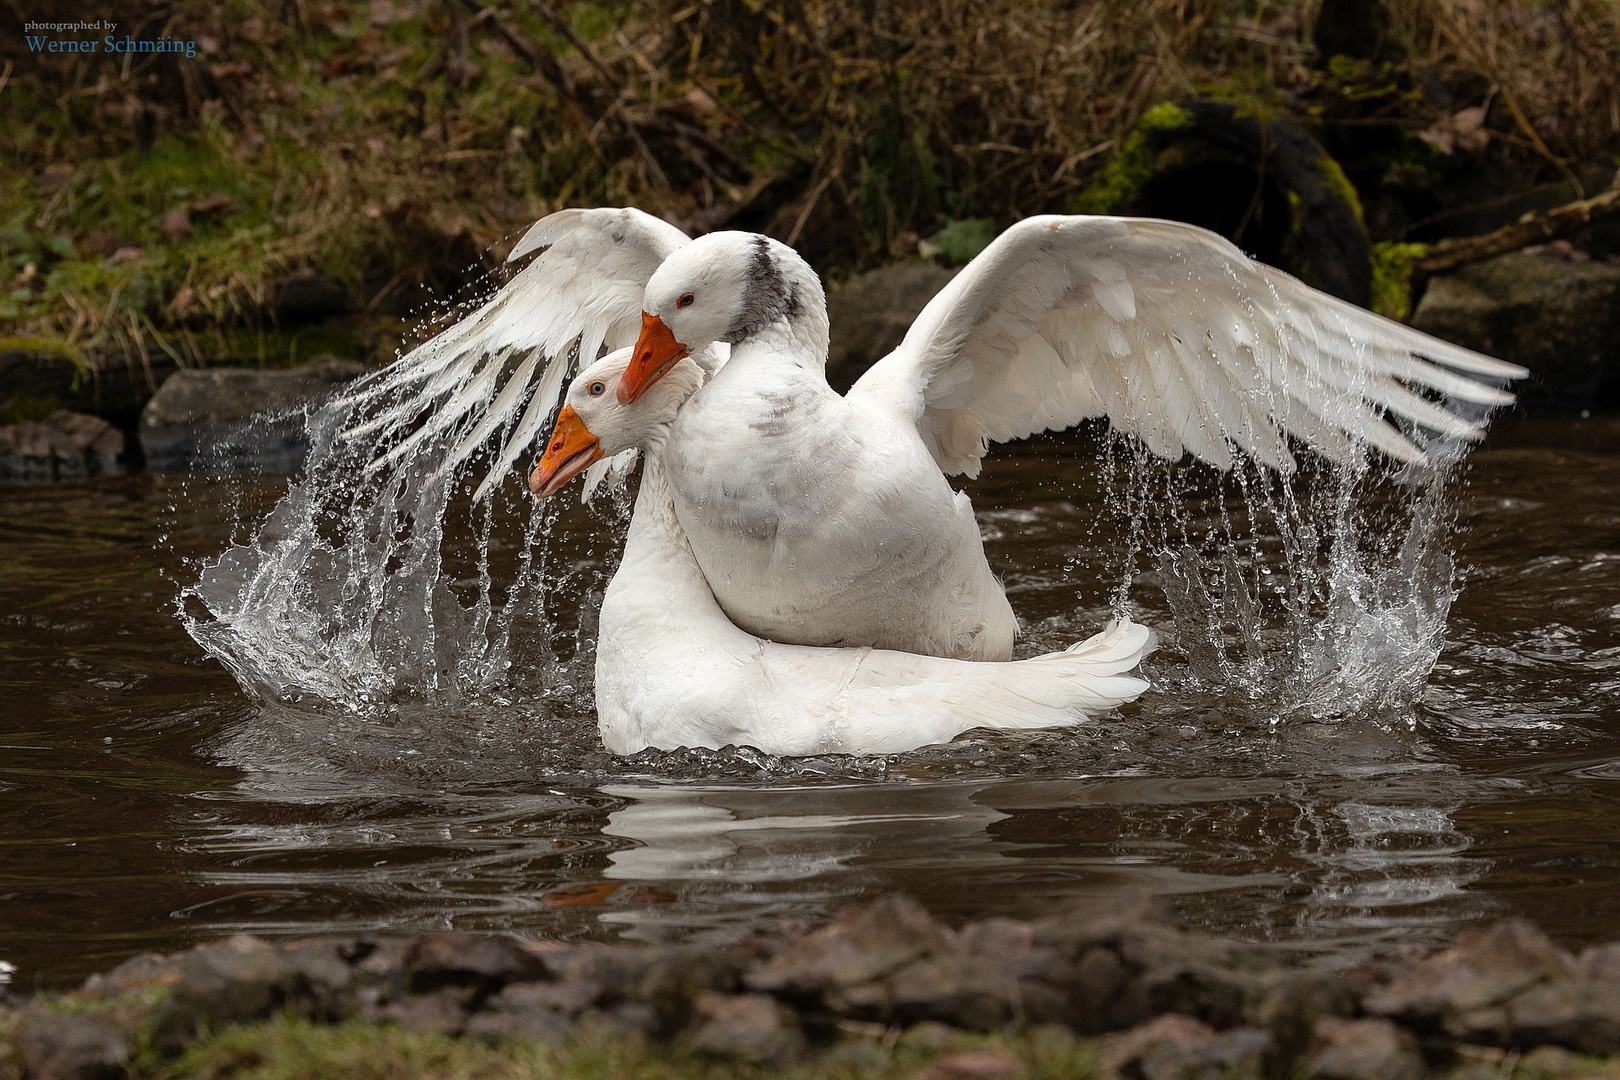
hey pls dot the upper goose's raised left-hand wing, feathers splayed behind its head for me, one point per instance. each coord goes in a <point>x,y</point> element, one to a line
<point>505,368</point>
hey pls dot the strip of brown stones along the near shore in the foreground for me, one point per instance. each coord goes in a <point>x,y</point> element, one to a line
<point>1127,995</point>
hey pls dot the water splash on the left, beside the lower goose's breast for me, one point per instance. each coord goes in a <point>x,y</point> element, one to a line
<point>364,589</point>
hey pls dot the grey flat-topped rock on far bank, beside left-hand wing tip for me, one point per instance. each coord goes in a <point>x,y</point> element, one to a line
<point>237,420</point>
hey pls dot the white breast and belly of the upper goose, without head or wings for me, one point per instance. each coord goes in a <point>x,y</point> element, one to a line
<point>811,543</point>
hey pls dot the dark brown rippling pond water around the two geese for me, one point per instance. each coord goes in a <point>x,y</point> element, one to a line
<point>150,804</point>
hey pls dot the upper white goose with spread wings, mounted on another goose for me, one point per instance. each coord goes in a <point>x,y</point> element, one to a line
<point>829,521</point>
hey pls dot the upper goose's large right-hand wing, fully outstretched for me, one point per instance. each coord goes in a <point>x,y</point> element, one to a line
<point>1180,339</point>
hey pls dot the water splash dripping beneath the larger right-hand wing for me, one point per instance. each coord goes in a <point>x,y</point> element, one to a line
<point>1313,597</point>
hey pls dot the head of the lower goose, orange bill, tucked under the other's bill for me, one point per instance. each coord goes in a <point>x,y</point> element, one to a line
<point>595,423</point>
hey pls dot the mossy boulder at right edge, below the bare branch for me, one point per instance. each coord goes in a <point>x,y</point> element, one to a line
<point>1556,317</point>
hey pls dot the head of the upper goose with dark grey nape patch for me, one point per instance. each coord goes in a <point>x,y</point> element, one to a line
<point>723,287</point>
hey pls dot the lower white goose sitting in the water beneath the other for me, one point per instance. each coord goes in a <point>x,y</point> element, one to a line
<point>673,671</point>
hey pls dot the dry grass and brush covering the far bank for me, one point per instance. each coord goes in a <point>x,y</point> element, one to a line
<point>396,143</point>
